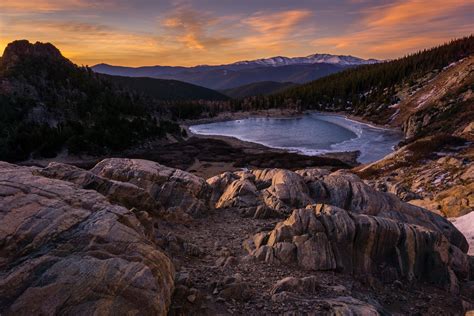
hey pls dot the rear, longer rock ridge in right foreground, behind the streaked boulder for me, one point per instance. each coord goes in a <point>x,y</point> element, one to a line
<point>284,190</point>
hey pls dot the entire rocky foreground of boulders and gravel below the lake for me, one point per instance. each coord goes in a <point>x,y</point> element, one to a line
<point>136,237</point>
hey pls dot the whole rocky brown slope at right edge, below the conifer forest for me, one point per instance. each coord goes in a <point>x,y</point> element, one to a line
<point>435,168</point>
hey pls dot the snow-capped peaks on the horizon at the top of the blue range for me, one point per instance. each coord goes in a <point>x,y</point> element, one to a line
<point>342,60</point>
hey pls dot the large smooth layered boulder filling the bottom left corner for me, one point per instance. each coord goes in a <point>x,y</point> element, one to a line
<point>66,250</point>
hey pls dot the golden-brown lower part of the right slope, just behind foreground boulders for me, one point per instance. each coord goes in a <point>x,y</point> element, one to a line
<point>441,180</point>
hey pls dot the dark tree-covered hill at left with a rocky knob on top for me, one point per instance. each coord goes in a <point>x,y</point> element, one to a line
<point>48,103</point>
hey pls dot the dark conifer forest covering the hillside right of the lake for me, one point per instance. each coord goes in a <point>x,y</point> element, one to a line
<point>370,90</point>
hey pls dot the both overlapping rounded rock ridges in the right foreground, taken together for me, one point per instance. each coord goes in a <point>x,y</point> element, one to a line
<point>359,231</point>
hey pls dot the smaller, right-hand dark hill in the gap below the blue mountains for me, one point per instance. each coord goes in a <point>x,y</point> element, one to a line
<point>257,88</point>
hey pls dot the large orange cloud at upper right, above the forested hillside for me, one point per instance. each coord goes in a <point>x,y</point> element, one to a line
<point>401,27</point>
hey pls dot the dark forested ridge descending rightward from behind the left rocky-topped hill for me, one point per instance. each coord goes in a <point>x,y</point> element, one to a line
<point>166,90</point>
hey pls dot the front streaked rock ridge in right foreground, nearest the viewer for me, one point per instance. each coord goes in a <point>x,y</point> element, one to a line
<point>323,237</point>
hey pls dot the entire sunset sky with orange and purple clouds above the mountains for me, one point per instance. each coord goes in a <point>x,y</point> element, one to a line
<point>187,33</point>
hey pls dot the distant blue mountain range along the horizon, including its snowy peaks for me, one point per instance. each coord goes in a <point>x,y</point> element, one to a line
<point>279,69</point>
